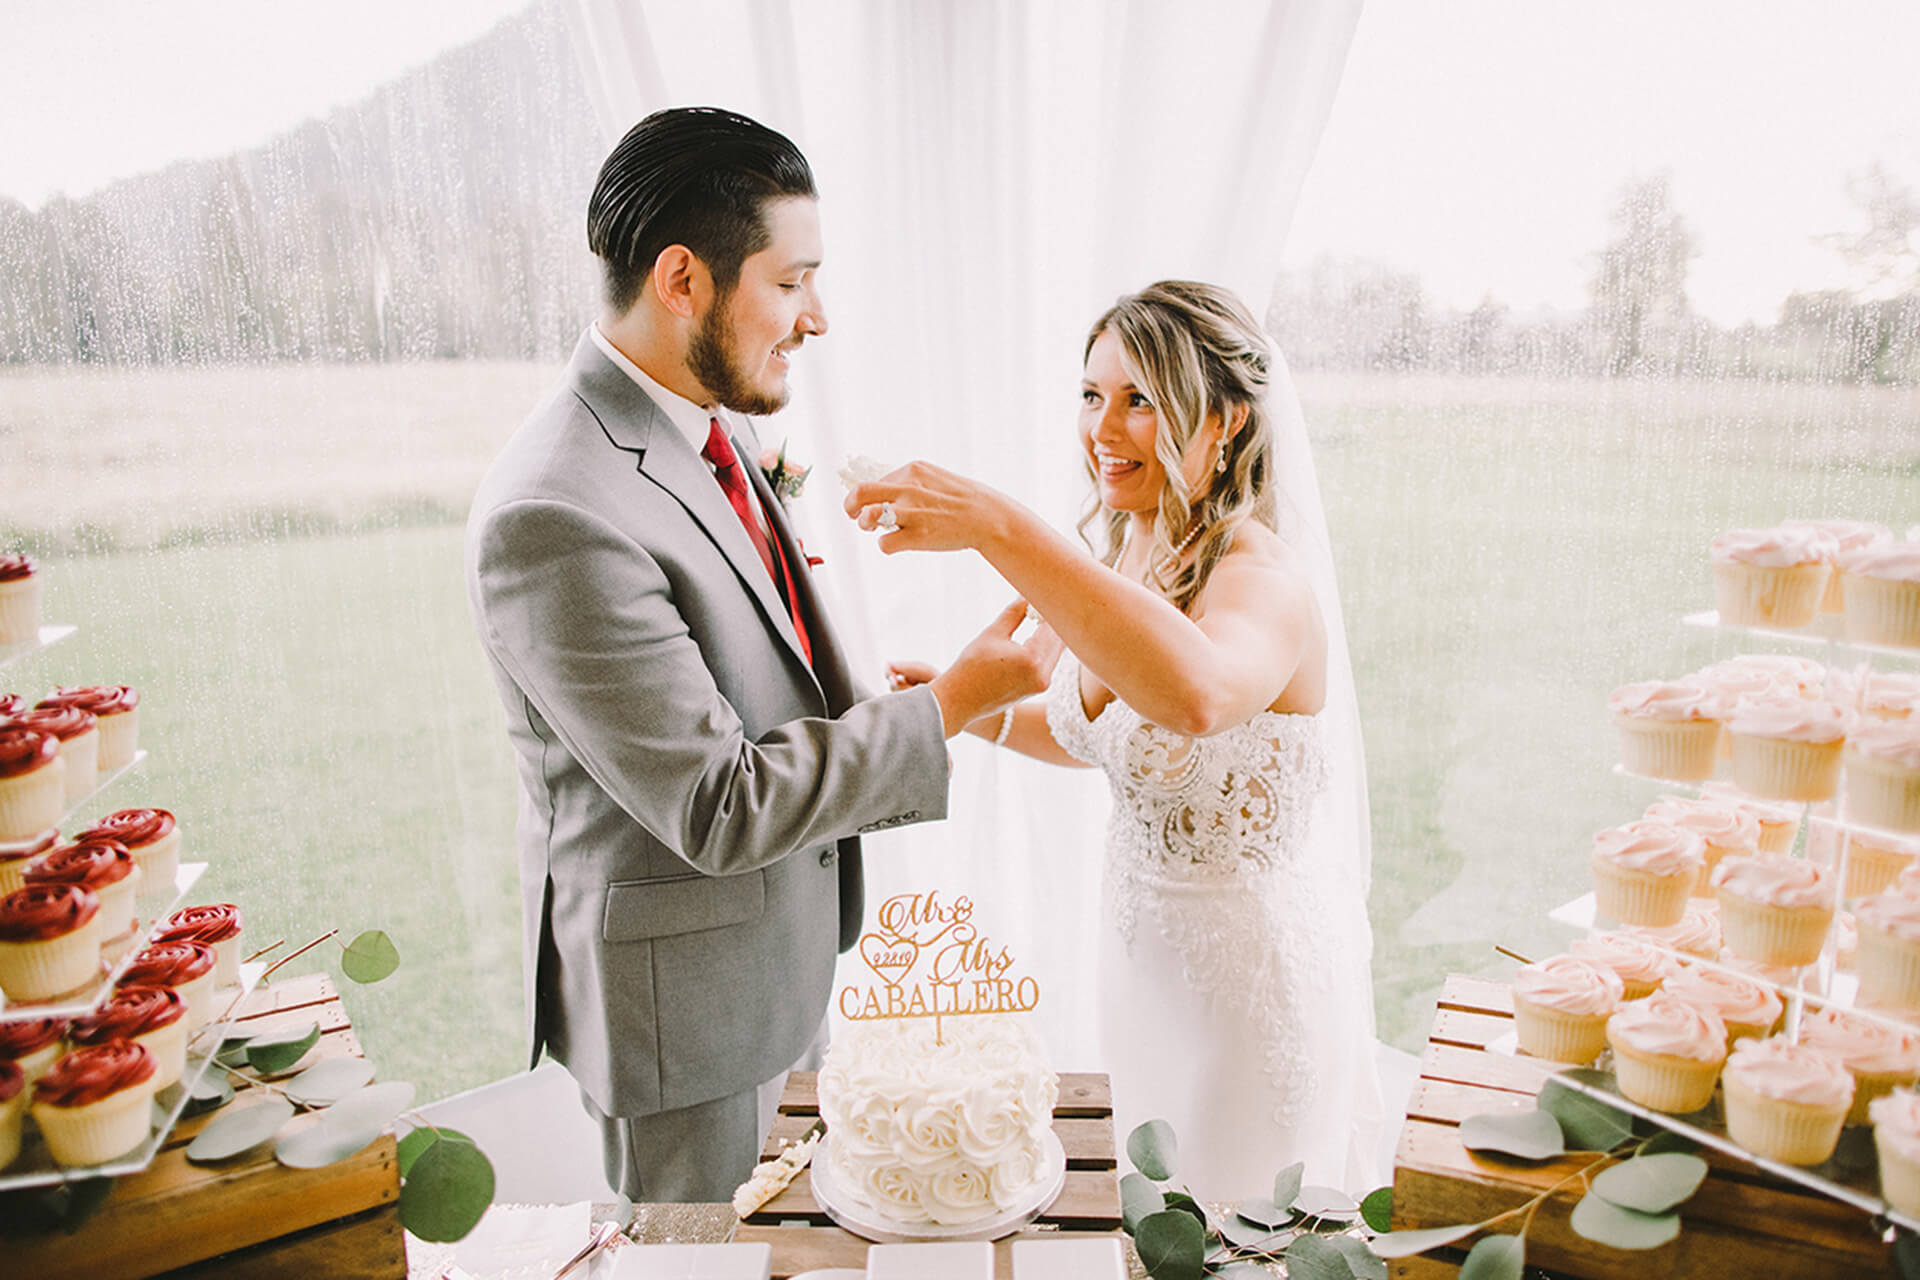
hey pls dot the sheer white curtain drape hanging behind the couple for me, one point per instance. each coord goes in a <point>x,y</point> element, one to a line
<point>994,174</point>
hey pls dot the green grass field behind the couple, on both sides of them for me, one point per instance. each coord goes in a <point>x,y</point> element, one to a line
<point>285,584</point>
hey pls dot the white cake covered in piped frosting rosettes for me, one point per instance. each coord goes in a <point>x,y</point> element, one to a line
<point>940,1129</point>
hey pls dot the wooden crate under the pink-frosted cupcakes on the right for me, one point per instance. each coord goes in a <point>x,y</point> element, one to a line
<point>1740,1223</point>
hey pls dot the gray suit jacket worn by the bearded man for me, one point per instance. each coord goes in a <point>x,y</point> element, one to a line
<point>690,790</point>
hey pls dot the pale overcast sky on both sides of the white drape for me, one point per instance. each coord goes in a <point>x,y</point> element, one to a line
<point>1476,143</point>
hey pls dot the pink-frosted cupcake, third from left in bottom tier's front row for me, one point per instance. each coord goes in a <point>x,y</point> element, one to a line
<point>1787,1101</point>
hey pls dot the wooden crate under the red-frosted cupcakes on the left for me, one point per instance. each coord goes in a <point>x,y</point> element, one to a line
<point>251,1216</point>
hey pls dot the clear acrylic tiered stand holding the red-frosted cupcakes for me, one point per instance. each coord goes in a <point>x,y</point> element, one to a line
<point>155,905</point>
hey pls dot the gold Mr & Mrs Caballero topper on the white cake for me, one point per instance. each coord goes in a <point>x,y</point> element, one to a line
<point>932,960</point>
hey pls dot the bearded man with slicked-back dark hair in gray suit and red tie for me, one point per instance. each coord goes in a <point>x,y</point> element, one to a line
<point>696,761</point>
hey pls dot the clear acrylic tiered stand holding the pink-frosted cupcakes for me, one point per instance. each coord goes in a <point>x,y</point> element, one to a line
<point>1852,1175</point>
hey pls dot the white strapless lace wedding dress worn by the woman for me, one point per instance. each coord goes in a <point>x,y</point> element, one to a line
<point>1234,968</point>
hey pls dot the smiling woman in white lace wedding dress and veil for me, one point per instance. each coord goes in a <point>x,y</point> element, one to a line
<point>1205,678</point>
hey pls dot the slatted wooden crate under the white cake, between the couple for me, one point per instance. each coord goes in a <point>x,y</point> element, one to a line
<point>805,1239</point>
